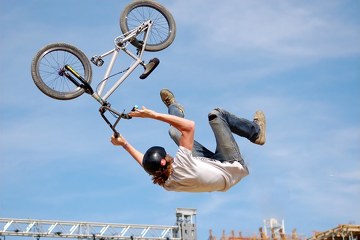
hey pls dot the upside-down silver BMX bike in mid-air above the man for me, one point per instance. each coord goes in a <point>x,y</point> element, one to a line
<point>62,71</point>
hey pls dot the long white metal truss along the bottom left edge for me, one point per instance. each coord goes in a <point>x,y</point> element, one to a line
<point>85,230</point>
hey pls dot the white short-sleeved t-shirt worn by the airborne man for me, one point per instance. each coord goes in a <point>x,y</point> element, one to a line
<point>199,174</point>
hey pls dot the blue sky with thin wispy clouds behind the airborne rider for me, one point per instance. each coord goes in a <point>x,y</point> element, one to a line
<point>299,61</point>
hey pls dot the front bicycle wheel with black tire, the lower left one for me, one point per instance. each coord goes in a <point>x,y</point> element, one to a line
<point>46,66</point>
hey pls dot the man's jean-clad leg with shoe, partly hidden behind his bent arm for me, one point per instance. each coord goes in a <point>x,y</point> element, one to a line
<point>177,109</point>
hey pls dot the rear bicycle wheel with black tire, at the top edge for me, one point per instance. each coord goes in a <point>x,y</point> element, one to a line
<point>163,30</point>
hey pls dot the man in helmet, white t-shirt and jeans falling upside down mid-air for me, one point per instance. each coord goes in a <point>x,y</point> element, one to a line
<point>195,168</point>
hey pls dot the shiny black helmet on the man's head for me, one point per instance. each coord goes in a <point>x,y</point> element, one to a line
<point>154,159</point>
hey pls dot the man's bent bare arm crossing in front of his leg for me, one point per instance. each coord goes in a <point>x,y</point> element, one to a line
<point>185,126</point>
